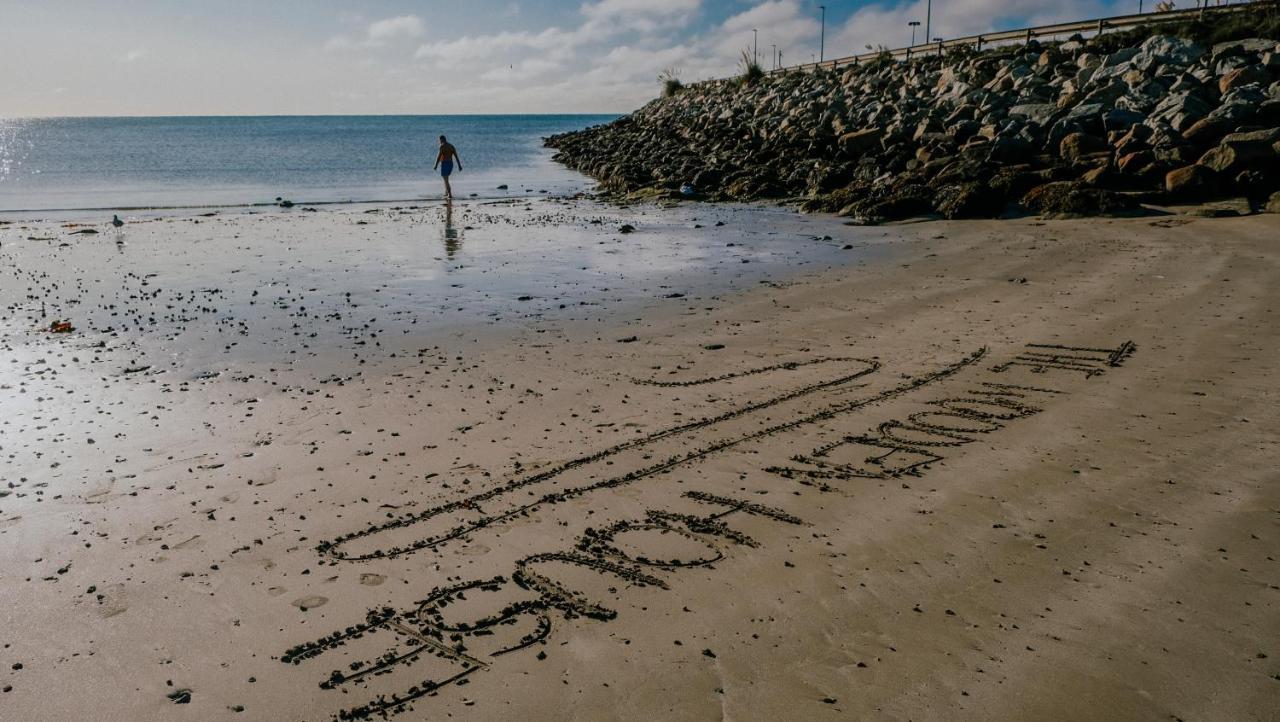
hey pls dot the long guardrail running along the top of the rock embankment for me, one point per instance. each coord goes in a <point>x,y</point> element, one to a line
<point>1025,35</point>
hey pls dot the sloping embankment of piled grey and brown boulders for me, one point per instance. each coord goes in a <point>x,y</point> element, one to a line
<point>1073,129</point>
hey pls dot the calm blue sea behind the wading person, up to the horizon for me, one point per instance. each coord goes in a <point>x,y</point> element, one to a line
<point>157,163</point>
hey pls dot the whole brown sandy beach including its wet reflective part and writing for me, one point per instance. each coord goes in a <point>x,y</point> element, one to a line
<point>294,467</point>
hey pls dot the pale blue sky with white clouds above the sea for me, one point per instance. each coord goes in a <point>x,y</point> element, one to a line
<point>435,57</point>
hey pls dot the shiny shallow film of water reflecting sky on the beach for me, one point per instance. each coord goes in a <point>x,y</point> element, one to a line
<point>321,290</point>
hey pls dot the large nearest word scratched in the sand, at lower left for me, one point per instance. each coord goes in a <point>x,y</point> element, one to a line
<point>455,648</point>
